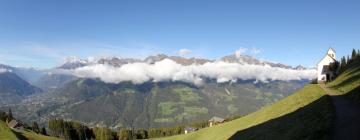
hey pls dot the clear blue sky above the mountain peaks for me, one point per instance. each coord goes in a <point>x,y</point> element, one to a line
<point>43,33</point>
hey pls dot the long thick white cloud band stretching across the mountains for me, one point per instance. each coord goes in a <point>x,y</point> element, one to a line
<point>168,70</point>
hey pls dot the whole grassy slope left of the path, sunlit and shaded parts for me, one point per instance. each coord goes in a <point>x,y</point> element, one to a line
<point>309,109</point>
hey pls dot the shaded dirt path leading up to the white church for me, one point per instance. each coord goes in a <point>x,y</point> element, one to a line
<point>347,121</point>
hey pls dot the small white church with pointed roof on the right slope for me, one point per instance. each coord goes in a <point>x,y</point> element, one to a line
<point>323,72</point>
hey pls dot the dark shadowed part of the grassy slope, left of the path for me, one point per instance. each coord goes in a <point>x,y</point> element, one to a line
<point>313,122</point>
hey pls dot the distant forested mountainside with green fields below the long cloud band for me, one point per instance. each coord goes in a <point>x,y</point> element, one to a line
<point>153,105</point>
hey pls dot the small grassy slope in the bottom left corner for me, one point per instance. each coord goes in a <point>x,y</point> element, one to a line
<point>7,134</point>
